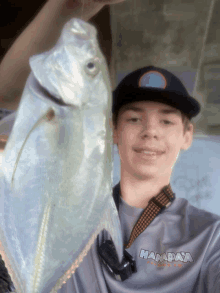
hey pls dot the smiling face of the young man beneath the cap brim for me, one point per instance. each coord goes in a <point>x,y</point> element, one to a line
<point>150,126</point>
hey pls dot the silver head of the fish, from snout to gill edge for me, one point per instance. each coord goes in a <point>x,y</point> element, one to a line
<point>75,68</point>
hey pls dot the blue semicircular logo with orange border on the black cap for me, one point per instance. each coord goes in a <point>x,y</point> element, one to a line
<point>153,79</point>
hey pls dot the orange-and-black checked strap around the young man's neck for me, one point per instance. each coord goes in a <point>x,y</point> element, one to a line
<point>155,206</point>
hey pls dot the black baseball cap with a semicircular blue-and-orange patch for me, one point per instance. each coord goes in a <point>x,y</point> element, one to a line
<point>154,84</point>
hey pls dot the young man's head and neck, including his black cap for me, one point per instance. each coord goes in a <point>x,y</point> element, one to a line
<point>150,134</point>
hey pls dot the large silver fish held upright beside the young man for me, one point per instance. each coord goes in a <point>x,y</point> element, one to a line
<point>56,172</point>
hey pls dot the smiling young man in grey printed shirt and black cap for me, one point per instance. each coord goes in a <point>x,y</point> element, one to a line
<point>176,246</point>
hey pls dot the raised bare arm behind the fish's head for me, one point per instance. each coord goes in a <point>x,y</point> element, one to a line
<point>40,35</point>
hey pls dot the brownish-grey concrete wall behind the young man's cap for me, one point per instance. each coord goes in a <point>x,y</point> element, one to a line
<point>182,36</point>
